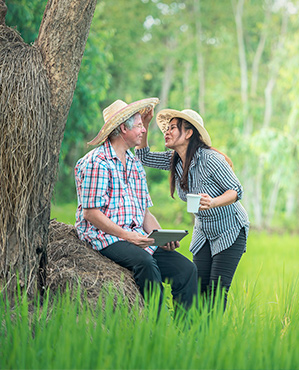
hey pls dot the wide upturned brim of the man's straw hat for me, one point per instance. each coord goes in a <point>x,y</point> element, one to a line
<point>139,106</point>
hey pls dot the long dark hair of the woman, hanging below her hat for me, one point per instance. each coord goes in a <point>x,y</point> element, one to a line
<point>195,142</point>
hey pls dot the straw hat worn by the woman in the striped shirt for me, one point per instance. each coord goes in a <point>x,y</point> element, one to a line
<point>165,115</point>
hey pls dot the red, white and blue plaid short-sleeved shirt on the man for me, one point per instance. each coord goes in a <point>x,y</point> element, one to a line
<point>123,196</point>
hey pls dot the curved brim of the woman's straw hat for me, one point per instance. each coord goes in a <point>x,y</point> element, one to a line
<point>165,115</point>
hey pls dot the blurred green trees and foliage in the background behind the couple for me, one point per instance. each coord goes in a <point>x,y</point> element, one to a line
<point>190,51</point>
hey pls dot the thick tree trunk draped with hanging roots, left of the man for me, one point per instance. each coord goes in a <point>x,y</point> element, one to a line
<point>55,60</point>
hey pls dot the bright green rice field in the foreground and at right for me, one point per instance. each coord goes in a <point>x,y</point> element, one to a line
<point>259,329</point>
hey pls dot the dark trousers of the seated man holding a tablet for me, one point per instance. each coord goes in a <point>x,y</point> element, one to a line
<point>162,266</point>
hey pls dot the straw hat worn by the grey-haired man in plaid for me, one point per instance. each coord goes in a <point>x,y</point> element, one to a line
<point>118,112</point>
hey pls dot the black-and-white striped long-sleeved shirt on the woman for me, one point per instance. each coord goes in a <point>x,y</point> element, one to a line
<point>209,173</point>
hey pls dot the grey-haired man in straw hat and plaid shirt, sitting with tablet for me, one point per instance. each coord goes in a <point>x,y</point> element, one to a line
<point>113,202</point>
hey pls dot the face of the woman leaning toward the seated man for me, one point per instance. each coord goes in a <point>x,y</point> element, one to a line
<point>174,139</point>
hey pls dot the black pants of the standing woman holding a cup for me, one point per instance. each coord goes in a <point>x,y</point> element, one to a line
<point>220,268</point>
